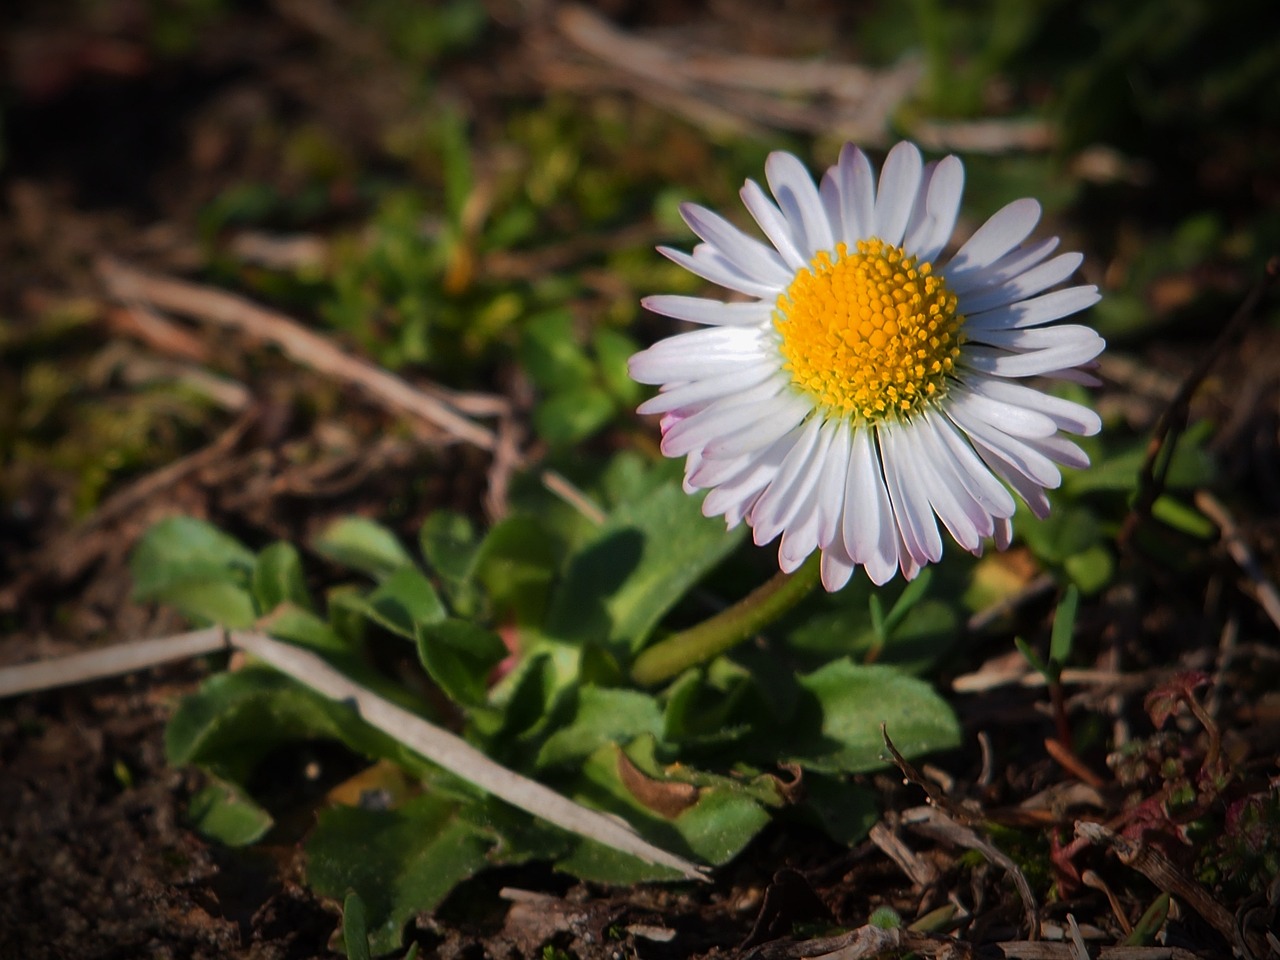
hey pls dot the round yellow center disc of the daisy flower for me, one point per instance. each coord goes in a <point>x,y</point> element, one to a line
<point>870,336</point>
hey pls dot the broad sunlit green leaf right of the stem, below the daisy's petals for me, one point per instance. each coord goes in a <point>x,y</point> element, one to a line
<point>839,730</point>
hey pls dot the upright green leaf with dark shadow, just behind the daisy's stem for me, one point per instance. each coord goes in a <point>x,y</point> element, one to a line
<point>636,569</point>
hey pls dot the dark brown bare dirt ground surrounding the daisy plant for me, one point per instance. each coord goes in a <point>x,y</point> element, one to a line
<point>115,150</point>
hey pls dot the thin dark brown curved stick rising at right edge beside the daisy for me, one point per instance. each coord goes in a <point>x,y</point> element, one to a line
<point>1173,422</point>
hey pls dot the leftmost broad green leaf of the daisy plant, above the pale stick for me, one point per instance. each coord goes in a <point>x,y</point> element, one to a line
<point>188,550</point>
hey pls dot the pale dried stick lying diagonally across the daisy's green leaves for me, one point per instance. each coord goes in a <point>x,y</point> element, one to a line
<point>456,755</point>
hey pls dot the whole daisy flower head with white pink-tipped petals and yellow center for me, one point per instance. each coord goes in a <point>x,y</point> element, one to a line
<point>868,386</point>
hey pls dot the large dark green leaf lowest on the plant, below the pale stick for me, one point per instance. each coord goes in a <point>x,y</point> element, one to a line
<point>400,862</point>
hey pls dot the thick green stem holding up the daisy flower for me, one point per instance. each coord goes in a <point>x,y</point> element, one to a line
<point>729,628</point>
